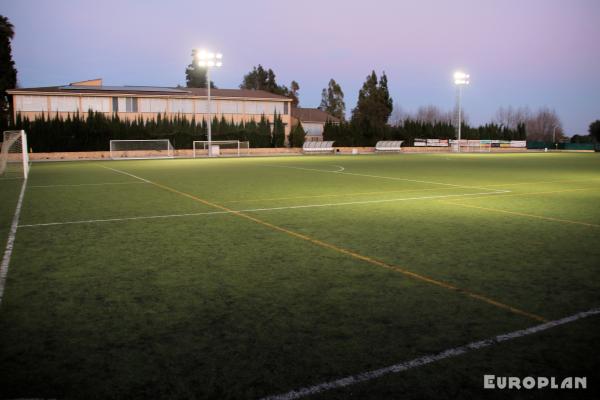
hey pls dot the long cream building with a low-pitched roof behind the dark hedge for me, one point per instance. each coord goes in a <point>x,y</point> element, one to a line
<point>132,102</point>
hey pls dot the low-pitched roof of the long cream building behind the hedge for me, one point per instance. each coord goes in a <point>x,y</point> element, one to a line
<point>78,88</point>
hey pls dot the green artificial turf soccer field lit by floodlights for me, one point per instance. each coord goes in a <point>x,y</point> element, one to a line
<point>244,278</point>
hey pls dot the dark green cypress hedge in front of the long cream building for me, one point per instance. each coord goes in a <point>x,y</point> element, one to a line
<point>94,131</point>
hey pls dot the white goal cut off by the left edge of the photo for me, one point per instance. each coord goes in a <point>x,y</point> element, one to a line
<point>14,158</point>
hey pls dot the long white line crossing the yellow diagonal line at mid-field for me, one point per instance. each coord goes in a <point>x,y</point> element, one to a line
<point>348,203</point>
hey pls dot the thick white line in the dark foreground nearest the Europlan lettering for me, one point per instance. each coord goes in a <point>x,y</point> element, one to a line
<point>428,359</point>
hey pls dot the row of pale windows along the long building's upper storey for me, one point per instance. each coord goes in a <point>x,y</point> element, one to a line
<point>134,104</point>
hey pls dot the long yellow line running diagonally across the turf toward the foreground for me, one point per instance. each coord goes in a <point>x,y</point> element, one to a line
<point>357,255</point>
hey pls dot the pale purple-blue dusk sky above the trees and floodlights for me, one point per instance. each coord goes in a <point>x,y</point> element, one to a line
<point>531,53</point>
